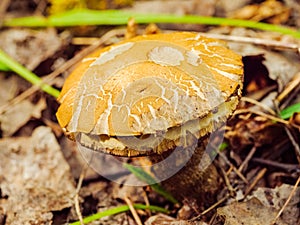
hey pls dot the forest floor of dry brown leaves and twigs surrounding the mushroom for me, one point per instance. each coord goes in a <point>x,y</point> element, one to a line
<point>43,176</point>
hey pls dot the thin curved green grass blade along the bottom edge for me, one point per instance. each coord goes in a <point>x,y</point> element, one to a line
<point>117,210</point>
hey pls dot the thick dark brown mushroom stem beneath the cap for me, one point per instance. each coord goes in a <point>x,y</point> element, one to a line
<point>197,178</point>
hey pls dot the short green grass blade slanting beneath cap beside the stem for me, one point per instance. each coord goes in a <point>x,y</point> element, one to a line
<point>144,176</point>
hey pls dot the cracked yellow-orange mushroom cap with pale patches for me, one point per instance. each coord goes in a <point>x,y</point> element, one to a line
<point>151,93</point>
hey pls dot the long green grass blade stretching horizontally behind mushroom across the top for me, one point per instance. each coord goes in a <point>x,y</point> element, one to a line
<point>118,17</point>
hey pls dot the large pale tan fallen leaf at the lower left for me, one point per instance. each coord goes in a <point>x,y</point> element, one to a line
<point>34,178</point>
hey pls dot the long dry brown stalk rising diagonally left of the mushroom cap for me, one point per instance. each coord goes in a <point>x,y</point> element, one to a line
<point>50,78</point>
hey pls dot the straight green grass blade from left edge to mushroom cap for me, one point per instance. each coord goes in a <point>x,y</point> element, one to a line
<point>12,65</point>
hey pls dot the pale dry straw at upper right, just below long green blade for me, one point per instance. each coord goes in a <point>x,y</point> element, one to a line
<point>279,45</point>
